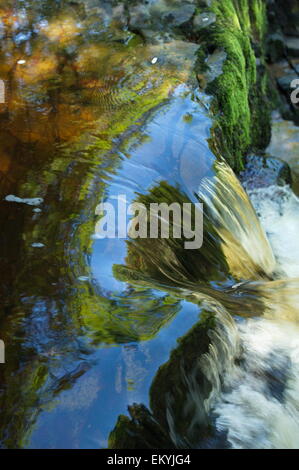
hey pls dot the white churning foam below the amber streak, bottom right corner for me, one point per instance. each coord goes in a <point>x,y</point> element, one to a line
<point>251,415</point>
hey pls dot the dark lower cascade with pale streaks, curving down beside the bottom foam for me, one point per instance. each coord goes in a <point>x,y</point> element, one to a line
<point>200,381</point>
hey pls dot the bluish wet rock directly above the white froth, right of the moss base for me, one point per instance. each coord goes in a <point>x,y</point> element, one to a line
<point>264,171</point>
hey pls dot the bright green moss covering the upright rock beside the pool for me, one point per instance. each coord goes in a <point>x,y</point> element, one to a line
<point>241,106</point>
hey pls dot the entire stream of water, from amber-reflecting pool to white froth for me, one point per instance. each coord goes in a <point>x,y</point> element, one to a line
<point>91,113</point>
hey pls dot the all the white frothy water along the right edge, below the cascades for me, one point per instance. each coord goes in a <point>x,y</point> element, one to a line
<point>259,404</point>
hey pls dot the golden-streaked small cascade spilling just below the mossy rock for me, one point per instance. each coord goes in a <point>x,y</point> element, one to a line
<point>230,213</point>
